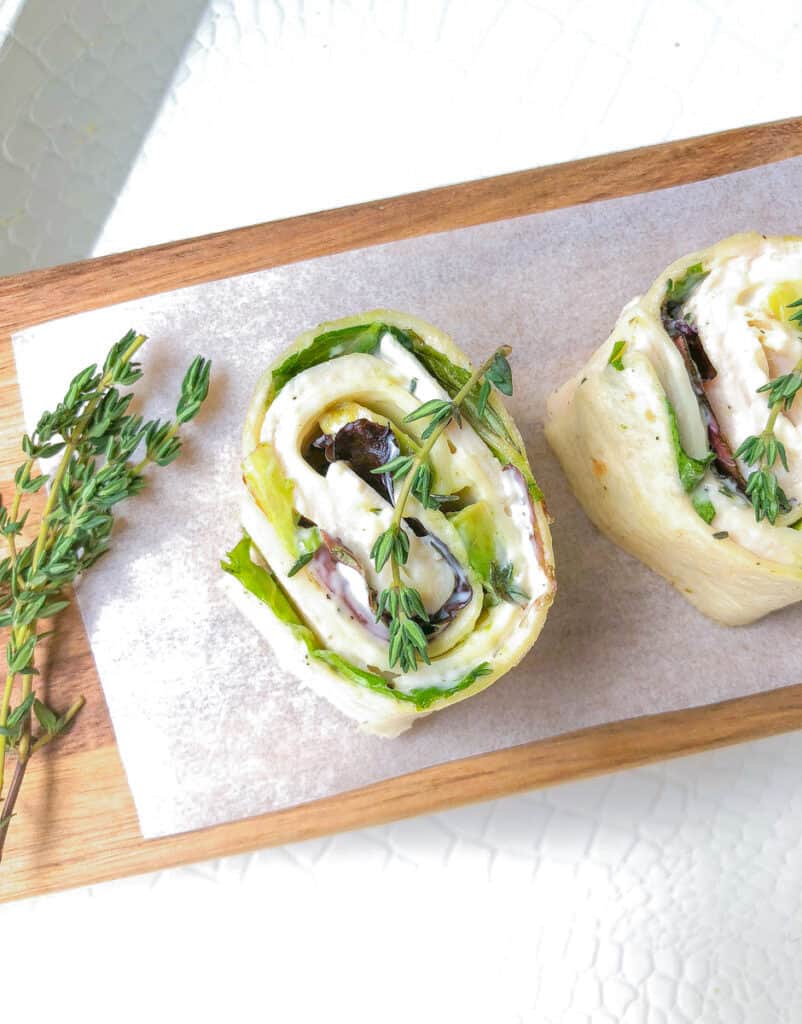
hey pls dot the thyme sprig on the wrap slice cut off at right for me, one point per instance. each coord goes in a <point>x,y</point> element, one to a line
<point>763,451</point>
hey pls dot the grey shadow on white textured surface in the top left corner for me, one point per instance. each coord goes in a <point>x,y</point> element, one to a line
<point>78,94</point>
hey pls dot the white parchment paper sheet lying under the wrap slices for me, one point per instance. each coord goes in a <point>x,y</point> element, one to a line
<point>208,729</point>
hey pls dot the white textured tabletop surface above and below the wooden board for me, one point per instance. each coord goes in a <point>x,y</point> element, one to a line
<point>668,894</point>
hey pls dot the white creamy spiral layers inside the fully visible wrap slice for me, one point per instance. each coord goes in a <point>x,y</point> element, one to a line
<point>354,514</point>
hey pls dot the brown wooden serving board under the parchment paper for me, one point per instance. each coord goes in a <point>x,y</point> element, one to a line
<point>76,822</point>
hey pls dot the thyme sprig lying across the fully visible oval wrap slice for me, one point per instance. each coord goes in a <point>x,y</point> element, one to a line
<point>403,605</point>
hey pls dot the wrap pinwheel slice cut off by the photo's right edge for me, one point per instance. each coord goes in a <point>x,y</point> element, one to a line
<point>683,436</point>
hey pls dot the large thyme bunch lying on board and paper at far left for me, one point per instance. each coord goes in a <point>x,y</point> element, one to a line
<point>97,438</point>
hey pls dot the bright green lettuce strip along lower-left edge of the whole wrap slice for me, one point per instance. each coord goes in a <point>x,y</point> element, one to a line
<point>261,582</point>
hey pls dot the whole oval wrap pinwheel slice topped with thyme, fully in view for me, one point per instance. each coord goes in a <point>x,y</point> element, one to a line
<point>396,551</point>
